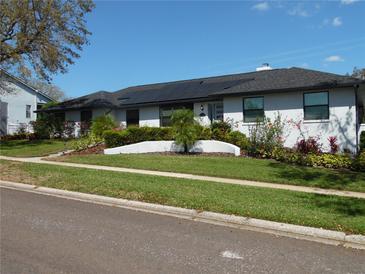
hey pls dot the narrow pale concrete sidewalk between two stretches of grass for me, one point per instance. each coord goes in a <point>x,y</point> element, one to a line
<point>315,190</point>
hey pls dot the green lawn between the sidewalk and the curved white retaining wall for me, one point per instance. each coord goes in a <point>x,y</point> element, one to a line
<point>232,167</point>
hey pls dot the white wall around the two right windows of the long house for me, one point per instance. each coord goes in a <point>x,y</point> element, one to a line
<point>342,121</point>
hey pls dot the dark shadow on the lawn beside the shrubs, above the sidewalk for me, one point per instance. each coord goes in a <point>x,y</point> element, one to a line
<point>318,177</point>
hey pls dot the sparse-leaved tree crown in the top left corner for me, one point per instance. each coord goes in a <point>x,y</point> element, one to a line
<point>39,38</point>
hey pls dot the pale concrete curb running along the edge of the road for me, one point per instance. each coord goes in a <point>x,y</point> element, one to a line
<point>276,228</point>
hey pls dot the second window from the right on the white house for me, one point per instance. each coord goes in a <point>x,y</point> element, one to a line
<point>253,109</point>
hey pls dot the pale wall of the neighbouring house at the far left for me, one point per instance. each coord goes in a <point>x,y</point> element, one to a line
<point>19,96</point>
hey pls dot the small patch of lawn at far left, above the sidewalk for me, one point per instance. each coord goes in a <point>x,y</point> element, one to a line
<point>26,148</point>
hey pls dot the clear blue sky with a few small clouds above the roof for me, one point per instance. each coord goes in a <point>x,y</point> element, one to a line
<point>141,42</point>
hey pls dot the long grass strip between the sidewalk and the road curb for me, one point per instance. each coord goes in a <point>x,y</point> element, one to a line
<point>330,212</point>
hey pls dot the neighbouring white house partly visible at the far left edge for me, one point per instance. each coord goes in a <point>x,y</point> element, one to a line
<point>18,101</point>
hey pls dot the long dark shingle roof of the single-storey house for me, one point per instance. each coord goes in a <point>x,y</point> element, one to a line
<point>276,80</point>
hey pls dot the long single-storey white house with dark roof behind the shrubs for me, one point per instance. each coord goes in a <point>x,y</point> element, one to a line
<point>320,104</point>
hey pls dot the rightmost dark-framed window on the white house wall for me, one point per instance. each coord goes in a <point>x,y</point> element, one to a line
<point>316,106</point>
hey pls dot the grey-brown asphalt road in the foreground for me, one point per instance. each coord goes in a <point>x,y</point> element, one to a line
<point>45,234</point>
